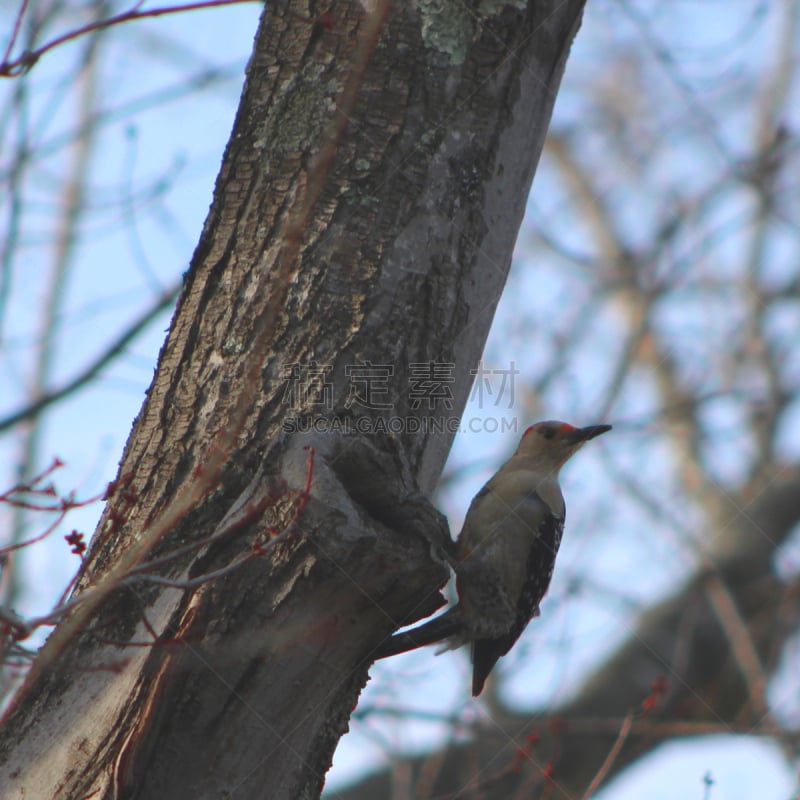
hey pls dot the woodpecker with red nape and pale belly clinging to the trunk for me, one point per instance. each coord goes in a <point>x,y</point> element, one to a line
<point>506,551</point>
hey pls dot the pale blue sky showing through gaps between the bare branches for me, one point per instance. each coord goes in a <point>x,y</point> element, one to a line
<point>151,179</point>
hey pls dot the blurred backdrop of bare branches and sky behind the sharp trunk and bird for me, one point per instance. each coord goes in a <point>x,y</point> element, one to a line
<point>655,286</point>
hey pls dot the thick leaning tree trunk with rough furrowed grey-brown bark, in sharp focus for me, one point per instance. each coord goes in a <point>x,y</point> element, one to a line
<point>365,213</point>
